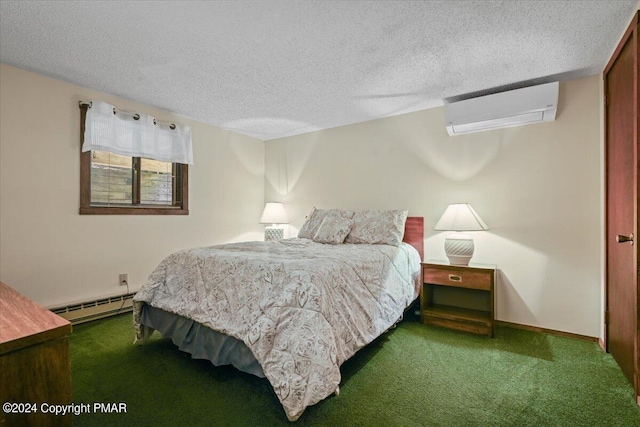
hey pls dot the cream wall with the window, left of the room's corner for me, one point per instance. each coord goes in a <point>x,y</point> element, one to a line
<point>52,254</point>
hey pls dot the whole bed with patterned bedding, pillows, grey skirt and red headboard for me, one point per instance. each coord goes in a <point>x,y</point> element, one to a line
<point>291,310</point>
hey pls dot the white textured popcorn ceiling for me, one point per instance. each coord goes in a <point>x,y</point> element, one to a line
<point>276,68</point>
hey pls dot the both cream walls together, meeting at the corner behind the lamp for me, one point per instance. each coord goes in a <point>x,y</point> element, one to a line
<point>538,187</point>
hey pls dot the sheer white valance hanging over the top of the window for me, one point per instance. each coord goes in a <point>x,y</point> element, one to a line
<point>135,135</point>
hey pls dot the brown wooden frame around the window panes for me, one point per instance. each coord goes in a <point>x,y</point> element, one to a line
<point>85,188</point>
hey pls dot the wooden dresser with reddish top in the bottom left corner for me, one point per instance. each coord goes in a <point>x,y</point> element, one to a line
<point>35,367</point>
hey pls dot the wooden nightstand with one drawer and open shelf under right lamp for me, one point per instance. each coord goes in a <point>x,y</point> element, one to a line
<point>458,297</point>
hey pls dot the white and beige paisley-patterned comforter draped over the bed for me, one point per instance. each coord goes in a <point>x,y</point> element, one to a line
<point>302,307</point>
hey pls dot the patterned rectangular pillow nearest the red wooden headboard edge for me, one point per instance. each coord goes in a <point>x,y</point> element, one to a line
<point>378,227</point>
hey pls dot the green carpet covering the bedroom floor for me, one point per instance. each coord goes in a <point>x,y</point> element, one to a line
<point>412,376</point>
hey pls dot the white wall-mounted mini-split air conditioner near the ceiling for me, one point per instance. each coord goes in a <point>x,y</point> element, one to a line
<point>518,107</point>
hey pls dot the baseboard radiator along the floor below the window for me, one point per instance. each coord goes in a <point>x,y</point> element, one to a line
<point>98,309</point>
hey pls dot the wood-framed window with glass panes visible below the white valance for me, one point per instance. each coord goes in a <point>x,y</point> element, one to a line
<point>123,185</point>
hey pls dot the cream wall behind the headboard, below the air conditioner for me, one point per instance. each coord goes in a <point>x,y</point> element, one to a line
<point>538,188</point>
